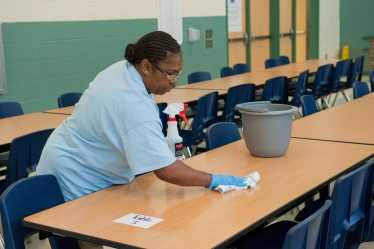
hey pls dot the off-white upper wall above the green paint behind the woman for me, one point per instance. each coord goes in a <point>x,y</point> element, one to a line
<point>63,10</point>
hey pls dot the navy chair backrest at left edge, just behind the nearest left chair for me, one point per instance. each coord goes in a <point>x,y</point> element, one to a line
<point>24,155</point>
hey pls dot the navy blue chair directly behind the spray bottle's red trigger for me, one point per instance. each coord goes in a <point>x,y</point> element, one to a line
<point>205,115</point>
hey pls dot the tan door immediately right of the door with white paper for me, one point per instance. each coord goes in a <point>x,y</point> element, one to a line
<point>260,33</point>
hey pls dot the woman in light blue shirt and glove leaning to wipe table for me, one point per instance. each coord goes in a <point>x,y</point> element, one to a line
<point>115,132</point>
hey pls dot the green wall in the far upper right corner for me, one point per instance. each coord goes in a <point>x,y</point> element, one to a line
<point>356,21</point>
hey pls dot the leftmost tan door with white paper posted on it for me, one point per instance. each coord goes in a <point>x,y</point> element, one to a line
<point>237,31</point>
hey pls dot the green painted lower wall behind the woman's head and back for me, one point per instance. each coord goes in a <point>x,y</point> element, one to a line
<point>46,59</point>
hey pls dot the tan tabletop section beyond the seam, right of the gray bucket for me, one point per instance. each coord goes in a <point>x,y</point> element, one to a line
<point>350,122</point>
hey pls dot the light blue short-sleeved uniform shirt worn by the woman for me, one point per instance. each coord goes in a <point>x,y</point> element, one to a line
<point>114,134</point>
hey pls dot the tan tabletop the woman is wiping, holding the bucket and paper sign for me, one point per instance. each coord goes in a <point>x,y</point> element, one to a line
<point>194,217</point>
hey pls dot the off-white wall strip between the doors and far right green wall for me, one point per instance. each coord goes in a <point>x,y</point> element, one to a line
<point>329,25</point>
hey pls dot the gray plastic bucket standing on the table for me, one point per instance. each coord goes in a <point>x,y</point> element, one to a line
<point>266,127</point>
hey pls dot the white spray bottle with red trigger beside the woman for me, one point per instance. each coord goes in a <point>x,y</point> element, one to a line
<point>175,141</point>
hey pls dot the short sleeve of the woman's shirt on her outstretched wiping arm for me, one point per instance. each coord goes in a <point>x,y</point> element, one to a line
<point>146,148</point>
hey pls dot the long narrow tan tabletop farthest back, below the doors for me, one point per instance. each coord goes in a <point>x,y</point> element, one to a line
<point>259,77</point>
